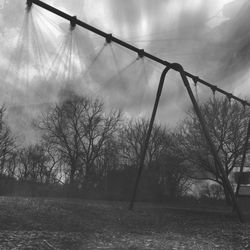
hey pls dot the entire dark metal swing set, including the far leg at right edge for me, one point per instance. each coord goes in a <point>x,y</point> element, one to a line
<point>186,77</point>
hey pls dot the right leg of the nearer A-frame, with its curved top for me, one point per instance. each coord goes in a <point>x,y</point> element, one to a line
<point>179,68</point>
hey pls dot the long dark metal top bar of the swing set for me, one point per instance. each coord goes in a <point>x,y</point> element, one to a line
<point>141,53</point>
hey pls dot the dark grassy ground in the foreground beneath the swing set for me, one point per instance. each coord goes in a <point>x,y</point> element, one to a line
<point>74,224</point>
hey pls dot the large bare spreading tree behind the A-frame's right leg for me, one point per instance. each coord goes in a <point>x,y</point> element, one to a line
<point>227,124</point>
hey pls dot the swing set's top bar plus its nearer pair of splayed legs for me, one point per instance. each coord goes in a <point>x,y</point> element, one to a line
<point>184,75</point>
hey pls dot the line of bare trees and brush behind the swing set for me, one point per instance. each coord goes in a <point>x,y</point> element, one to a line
<point>85,150</point>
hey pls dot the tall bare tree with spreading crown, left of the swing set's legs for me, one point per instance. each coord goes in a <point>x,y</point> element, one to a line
<point>78,128</point>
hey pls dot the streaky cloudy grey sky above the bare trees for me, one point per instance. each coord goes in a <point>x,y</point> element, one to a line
<point>41,56</point>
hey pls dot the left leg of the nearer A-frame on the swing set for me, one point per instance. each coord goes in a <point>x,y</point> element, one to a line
<point>144,150</point>
